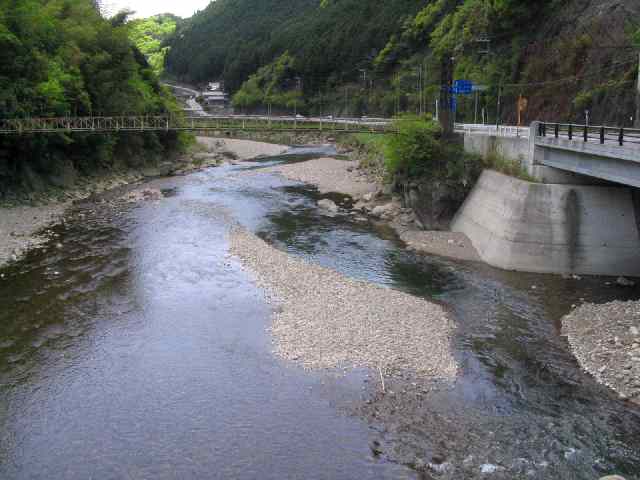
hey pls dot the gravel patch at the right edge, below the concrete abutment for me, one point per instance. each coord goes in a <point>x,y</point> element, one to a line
<point>606,341</point>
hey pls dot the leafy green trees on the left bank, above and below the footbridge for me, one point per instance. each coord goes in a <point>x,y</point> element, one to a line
<point>58,58</point>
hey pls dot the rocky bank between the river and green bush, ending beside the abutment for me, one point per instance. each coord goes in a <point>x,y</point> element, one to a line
<point>346,177</point>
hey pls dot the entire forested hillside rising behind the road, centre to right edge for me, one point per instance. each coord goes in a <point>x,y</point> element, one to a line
<point>559,58</point>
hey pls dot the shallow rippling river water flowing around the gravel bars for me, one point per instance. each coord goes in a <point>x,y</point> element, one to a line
<point>133,346</point>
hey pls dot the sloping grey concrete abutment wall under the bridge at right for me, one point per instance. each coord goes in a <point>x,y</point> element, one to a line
<point>548,228</point>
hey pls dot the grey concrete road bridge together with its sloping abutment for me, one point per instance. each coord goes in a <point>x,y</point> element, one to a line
<point>582,216</point>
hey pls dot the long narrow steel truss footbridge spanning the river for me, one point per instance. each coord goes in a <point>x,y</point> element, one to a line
<point>143,123</point>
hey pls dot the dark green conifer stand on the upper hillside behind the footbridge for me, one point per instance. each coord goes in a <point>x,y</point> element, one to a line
<point>234,38</point>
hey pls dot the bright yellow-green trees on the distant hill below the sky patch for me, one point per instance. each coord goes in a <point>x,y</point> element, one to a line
<point>150,34</point>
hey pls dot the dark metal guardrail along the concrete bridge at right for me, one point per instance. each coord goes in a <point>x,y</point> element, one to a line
<point>601,134</point>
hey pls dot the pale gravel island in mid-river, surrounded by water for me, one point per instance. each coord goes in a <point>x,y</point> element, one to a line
<point>326,320</point>
